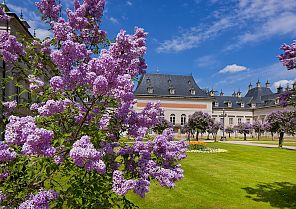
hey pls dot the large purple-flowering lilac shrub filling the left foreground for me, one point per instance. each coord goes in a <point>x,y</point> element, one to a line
<point>67,151</point>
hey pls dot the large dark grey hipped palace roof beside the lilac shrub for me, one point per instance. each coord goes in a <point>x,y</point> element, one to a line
<point>162,83</point>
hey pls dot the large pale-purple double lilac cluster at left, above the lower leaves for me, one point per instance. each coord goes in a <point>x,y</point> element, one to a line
<point>23,131</point>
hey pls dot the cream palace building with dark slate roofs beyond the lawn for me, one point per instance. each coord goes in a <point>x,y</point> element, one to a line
<point>180,97</point>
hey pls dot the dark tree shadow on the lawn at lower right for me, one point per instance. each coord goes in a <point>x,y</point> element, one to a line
<point>278,194</point>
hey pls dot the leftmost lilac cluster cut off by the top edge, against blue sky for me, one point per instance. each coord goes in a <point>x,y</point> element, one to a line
<point>49,9</point>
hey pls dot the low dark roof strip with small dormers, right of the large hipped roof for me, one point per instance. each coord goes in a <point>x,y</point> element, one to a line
<point>235,101</point>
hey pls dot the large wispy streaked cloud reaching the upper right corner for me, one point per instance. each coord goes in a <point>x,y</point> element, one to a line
<point>252,20</point>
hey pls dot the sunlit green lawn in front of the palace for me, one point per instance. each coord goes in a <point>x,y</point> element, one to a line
<point>244,177</point>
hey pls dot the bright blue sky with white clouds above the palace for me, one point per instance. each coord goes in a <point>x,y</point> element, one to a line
<point>223,44</point>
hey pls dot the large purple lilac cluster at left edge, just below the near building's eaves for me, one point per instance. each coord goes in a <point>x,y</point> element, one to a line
<point>10,48</point>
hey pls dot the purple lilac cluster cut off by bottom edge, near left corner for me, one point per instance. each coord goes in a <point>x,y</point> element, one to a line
<point>41,200</point>
